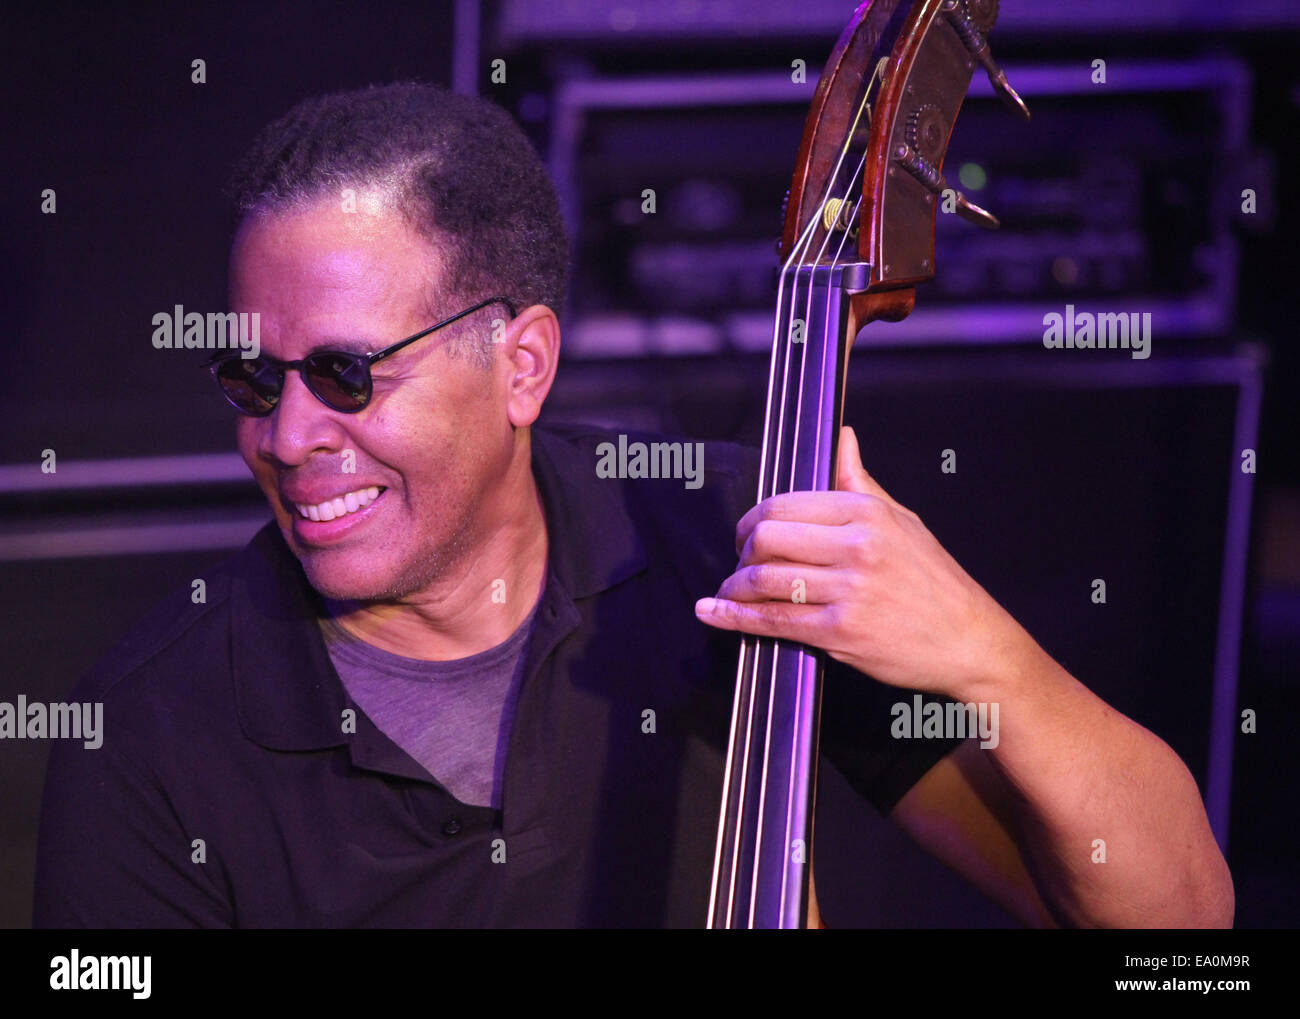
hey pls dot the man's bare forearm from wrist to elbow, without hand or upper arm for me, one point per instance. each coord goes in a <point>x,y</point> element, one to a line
<point>1115,831</point>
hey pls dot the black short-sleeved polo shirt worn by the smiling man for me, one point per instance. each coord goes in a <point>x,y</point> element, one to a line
<point>227,792</point>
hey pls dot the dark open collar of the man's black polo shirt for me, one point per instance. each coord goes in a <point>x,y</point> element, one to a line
<point>288,695</point>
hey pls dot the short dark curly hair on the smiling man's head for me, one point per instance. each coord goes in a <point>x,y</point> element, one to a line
<point>463,174</point>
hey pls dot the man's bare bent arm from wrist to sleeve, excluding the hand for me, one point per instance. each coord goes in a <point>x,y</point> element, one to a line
<point>1021,822</point>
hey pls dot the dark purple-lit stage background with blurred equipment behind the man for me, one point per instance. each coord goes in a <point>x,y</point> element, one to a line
<point>1072,465</point>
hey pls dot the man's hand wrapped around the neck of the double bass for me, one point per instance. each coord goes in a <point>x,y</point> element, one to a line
<point>860,576</point>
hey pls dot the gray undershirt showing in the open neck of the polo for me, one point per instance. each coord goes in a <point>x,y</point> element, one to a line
<point>452,717</point>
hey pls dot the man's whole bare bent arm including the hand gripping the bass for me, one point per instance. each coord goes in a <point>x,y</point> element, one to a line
<point>881,595</point>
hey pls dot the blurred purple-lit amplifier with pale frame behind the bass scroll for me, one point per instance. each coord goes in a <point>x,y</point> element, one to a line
<point>1119,198</point>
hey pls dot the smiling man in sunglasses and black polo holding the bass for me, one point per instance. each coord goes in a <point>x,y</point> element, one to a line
<point>461,679</point>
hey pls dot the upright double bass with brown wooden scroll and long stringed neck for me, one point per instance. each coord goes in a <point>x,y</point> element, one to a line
<point>859,239</point>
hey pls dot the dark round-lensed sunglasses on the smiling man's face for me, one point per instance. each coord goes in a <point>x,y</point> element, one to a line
<point>341,380</point>
